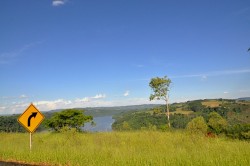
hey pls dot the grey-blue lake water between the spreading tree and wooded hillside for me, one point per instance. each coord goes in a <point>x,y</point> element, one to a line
<point>103,123</point>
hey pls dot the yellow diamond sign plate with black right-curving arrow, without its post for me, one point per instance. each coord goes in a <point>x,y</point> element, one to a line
<point>31,118</point>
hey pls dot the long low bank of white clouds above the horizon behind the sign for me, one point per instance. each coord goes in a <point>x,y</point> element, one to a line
<point>47,105</point>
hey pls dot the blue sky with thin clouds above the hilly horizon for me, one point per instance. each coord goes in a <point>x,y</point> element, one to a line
<point>79,53</point>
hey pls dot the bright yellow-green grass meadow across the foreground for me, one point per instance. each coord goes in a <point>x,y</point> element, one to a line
<point>124,148</point>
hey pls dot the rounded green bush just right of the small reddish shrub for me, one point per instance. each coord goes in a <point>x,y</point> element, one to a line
<point>216,123</point>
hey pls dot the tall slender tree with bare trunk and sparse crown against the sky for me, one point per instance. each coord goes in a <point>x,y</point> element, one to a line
<point>160,88</point>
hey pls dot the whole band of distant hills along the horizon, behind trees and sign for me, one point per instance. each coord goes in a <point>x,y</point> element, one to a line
<point>235,111</point>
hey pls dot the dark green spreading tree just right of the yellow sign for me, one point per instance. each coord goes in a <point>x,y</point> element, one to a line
<point>69,118</point>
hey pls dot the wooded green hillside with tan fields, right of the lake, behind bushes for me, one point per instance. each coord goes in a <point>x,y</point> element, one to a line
<point>235,112</point>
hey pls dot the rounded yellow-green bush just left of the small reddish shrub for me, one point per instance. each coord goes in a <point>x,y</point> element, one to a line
<point>197,126</point>
